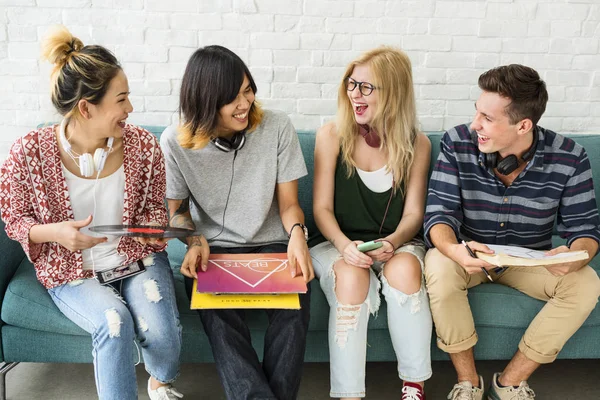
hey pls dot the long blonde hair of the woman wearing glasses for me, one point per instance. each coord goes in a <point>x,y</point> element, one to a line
<point>396,117</point>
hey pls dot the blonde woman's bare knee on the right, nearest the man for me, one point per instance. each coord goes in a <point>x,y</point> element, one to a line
<point>403,272</point>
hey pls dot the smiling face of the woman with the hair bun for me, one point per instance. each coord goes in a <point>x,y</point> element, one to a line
<point>107,118</point>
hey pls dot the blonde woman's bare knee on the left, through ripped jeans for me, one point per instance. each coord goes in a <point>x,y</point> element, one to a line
<point>351,283</point>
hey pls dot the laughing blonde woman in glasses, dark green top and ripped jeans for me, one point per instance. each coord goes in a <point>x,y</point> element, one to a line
<point>370,183</point>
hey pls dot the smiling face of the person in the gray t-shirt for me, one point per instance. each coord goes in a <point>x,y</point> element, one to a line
<point>233,117</point>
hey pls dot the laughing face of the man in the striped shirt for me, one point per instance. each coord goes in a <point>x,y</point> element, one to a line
<point>494,130</point>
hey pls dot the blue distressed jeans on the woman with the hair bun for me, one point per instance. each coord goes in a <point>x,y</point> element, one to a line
<point>143,306</point>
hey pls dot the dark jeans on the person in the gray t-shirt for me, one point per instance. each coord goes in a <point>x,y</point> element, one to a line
<point>241,373</point>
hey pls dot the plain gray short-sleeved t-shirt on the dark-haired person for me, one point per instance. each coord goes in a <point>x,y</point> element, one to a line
<point>232,197</point>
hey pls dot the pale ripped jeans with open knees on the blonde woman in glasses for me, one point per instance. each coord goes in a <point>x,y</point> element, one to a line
<point>409,323</point>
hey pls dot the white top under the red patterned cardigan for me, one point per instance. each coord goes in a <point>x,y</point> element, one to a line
<point>110,194</point>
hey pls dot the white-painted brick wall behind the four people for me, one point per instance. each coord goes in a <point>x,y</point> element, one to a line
<point>298,49</point>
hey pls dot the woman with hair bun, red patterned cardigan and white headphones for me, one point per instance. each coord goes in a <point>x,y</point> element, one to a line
<point>95,165</point>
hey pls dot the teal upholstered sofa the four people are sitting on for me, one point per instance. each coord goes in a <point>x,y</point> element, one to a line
<point>34,330</point>
